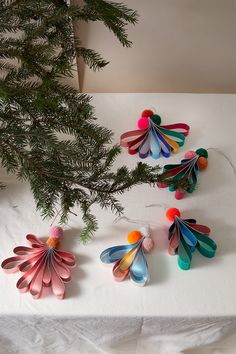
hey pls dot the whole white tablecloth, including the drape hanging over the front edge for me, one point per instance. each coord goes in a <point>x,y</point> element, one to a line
<point>177,309</point>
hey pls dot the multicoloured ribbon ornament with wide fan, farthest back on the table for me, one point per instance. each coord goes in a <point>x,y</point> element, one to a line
<point>154,139</point>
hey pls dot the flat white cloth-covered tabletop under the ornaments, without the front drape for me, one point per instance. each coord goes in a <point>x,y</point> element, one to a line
<point>208,289</point>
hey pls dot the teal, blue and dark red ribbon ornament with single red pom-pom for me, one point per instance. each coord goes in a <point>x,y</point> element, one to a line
<point>186,236</point>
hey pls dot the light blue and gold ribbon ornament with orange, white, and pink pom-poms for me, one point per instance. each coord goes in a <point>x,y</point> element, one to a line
<point>130,260</point>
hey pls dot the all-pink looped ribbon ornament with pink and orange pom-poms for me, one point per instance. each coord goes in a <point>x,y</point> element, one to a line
<point>42,264</point>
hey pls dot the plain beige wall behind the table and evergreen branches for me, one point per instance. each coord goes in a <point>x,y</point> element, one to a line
<point>178,46</point>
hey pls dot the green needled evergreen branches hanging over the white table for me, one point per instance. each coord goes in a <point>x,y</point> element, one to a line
<point>49,134</point>
